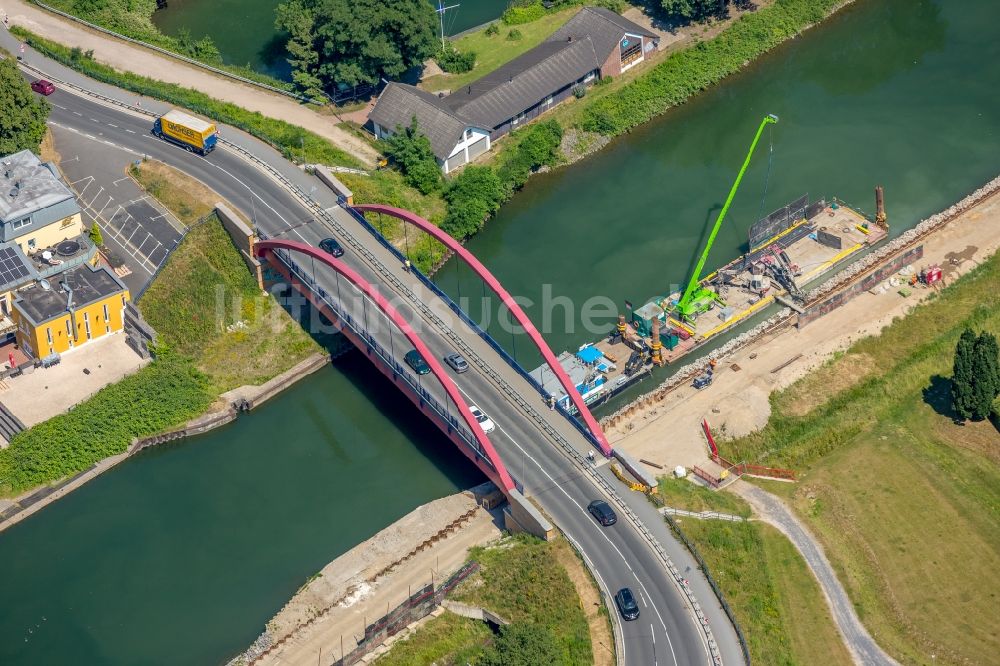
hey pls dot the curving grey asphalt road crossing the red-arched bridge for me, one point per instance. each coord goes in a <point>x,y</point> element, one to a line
<point>666,632</point>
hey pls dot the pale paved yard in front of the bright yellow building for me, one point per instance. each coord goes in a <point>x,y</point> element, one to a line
<point>47,392</point>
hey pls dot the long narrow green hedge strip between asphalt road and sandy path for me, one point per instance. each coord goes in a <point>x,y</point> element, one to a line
<point>294,142</point>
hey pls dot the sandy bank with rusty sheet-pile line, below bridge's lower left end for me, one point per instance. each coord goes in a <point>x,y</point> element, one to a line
<point>356,586</point>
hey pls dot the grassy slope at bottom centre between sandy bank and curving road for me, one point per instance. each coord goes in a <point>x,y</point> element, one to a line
<point>521,580</point>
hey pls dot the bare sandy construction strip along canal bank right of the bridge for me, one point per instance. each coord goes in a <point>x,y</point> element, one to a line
<point>669,433</point>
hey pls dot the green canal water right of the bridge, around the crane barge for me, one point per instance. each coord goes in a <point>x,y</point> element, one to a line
<point>899,92</point>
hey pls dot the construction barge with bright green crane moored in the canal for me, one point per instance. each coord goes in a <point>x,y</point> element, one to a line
<point>787,250</point>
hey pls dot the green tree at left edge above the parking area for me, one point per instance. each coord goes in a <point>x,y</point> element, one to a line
<point>22,113</point>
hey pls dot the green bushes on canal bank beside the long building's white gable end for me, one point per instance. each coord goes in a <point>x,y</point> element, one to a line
<point>479,191</point>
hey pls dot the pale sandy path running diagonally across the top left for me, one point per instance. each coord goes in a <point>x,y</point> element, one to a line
<point>129,57</point>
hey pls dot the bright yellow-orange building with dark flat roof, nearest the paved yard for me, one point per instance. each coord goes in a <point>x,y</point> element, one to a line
<point>85,304</point>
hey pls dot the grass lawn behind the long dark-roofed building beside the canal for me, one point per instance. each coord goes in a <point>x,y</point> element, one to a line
<point>496,50</point>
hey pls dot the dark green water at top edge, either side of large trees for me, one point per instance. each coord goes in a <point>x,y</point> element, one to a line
<point>243,30</point>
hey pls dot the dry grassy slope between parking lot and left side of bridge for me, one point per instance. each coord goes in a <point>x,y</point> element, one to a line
<point>205,288</point>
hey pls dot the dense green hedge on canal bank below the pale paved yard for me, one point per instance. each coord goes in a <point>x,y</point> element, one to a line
<point>162,395</point>
